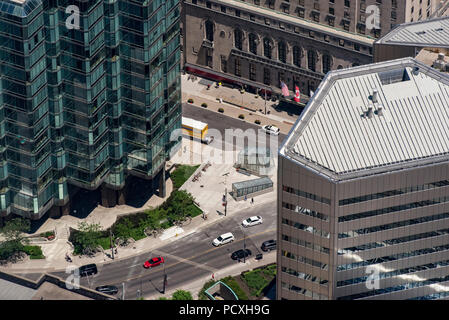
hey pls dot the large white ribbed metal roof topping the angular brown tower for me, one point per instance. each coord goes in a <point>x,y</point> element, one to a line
<point>335,137</point>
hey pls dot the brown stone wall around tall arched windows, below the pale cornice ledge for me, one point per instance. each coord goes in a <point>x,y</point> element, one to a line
<point>225,58</point>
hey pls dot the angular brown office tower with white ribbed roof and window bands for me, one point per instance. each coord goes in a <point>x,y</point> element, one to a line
<point>363,187</point>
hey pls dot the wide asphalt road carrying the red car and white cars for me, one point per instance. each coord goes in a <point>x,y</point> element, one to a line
<point>189,258</point>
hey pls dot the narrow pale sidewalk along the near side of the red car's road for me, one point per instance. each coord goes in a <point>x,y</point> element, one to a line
<point>195,286</point>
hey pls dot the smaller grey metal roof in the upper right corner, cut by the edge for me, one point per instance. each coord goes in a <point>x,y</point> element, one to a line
<point>427,33</point>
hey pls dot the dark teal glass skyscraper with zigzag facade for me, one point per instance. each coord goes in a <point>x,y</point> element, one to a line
<point>85,105</point>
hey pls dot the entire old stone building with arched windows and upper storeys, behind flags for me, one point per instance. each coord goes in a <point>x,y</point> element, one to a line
<point>258,44</point>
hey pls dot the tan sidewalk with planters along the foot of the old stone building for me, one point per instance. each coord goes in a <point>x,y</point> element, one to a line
<point>234,103</point>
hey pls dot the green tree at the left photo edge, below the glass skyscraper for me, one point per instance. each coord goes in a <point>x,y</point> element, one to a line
<point>13,236</point>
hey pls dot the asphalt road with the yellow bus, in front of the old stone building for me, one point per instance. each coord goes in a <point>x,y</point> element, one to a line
<point>222,122</point>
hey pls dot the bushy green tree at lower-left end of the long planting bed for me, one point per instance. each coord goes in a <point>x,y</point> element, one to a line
<point>85,240</point>
